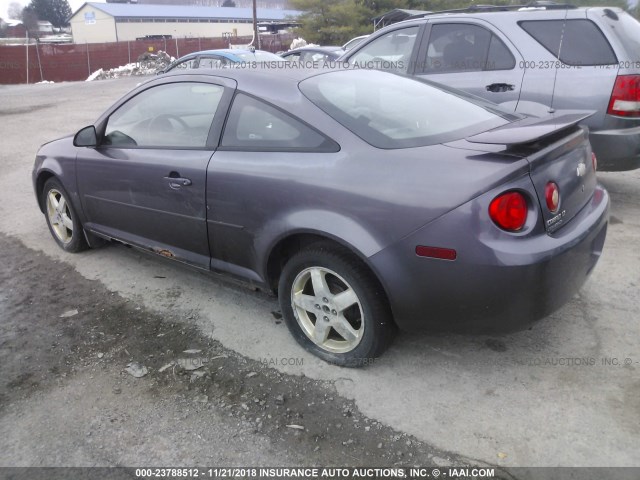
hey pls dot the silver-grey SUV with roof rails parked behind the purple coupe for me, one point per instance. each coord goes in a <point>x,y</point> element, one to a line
<point>530,60</point>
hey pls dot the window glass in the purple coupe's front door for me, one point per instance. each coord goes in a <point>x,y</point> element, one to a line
<point>170,115</point>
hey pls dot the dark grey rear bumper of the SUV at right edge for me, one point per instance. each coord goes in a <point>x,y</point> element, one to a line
<point>617,149</point>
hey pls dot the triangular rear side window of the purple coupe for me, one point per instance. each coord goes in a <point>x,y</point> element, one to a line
<point>255,125</point>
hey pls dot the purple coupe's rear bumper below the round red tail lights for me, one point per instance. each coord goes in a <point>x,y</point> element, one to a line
<point>496,284</point>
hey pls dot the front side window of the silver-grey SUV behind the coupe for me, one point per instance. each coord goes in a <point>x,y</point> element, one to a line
<point>389,52</point>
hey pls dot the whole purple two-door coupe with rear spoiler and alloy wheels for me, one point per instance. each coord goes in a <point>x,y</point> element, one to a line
<point>367,200</point>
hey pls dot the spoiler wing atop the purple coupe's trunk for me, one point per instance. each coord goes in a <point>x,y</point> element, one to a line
<point>530,129</point>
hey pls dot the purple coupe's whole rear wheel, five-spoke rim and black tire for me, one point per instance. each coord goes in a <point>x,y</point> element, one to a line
<point>334,307</point>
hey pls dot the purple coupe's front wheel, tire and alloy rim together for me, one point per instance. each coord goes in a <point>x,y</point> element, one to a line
<point>62,220</point>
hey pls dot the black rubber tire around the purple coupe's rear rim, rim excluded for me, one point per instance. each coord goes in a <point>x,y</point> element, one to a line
<point>375,310</point>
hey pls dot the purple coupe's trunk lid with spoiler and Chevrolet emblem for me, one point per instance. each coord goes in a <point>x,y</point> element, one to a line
<point>558,151</point>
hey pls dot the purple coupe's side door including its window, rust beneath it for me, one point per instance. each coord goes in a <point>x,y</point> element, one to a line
<point>145,183</point>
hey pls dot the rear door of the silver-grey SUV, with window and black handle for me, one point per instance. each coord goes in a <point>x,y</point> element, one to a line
<point>473,57</point>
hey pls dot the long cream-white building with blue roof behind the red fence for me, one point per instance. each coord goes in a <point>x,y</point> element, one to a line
<point>117,22</point>
